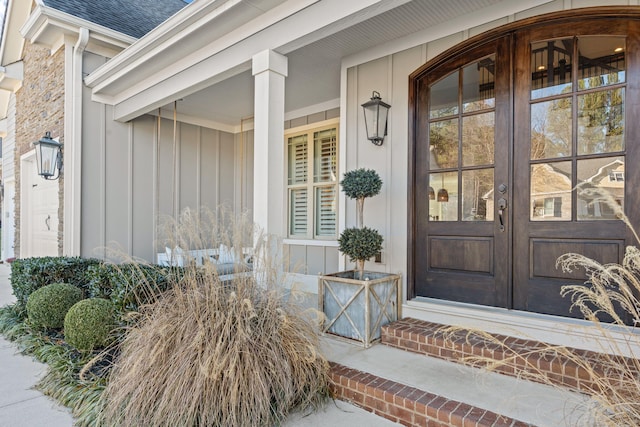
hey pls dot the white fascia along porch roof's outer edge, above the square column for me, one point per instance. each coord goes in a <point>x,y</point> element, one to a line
<point>231,52</point>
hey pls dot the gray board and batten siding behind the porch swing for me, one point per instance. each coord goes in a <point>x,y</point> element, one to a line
<point>123,163</point>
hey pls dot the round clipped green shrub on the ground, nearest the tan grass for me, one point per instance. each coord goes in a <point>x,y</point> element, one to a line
<point>88,324</point>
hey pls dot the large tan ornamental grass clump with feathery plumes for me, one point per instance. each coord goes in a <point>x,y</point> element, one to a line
<point>218,350</point>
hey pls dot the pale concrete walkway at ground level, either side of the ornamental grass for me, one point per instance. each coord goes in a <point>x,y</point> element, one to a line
<point>22,406</point>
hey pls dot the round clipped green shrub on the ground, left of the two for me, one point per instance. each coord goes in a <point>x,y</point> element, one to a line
<point>47,306</point>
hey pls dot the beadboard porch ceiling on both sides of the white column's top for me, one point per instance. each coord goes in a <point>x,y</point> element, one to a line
<point>314,68</point>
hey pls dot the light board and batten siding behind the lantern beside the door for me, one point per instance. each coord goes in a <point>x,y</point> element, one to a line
<point>386,212</point>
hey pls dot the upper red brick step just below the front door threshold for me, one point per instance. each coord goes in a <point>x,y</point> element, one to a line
<point>572,368</point>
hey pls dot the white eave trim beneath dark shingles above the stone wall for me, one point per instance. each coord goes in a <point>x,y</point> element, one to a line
<point>45,20</point>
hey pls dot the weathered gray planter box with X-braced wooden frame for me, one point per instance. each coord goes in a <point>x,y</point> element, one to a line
<point>357,309</point>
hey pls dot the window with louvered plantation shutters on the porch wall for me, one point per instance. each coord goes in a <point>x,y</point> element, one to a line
<point>313,183</point>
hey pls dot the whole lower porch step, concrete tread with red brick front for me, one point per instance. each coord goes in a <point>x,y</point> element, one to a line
<point>417,390</point>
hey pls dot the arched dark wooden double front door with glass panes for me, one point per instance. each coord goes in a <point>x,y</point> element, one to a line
<point>504,132</point>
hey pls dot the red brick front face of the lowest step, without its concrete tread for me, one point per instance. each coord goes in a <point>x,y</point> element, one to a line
<point>408,405</point>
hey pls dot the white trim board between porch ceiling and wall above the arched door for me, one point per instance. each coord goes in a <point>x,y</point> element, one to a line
<point>461,23</point>
